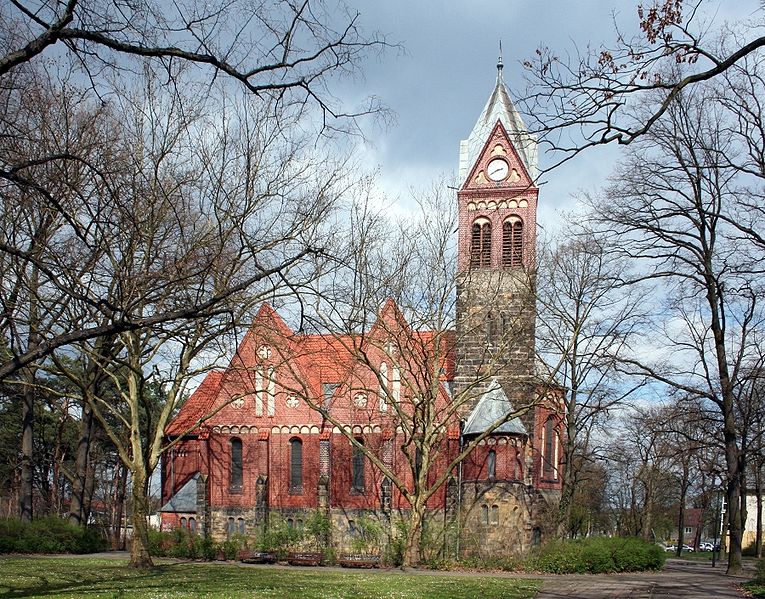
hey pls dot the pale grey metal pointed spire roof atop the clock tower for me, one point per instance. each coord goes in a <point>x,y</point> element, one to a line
<point>499,108</point>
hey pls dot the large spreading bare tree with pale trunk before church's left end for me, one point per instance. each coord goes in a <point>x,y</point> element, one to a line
<point>193,203</point>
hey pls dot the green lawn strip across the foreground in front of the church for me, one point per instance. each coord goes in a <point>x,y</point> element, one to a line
<point>111,578</point>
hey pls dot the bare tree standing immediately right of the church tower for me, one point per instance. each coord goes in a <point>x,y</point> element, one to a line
<point>587,318</point>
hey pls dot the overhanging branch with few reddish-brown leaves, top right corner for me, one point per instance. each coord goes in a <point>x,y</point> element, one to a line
<point>615,93</point>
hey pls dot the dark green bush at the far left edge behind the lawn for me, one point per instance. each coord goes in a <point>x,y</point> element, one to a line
<point>49,534</point>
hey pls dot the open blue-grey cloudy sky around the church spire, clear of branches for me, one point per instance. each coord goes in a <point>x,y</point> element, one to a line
<point>439,82</point>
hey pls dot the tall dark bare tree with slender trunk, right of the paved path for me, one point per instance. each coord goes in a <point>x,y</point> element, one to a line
<point>669,209</point>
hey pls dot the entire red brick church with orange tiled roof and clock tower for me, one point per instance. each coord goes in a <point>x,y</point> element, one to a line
<point>289,427</point>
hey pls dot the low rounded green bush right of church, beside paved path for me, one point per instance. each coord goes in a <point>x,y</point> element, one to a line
<point>596,555</point>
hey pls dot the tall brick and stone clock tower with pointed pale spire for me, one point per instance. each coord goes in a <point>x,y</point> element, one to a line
<point>497,208</point>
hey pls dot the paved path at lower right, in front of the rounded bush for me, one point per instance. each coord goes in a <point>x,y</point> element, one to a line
<point>679,580</point>
